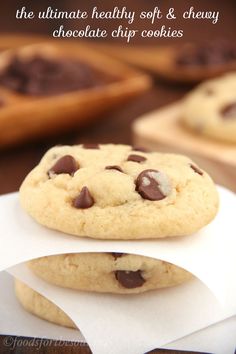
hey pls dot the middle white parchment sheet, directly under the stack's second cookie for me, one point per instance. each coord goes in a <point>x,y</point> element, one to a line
<point>118,324</point>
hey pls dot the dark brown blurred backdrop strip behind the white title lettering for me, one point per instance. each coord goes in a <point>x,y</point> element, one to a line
<point>193,29</point>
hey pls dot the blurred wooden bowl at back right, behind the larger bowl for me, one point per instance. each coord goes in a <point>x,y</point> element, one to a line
<point>161,61</point>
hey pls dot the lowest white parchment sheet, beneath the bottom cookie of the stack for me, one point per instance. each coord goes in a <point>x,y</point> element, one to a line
<point>217,339</point>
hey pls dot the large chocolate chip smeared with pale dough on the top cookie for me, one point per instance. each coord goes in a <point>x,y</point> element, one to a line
<point>153,185</point>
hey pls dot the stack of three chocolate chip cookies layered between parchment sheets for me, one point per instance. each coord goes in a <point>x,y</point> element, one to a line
<point>114,192</point>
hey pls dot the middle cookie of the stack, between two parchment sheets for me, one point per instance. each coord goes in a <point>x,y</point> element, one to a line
<point>118,273</point>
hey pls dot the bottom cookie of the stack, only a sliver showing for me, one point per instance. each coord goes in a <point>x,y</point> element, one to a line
<point>40,306</point>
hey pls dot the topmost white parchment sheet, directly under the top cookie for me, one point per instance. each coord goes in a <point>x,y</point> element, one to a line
<point>208,254</point>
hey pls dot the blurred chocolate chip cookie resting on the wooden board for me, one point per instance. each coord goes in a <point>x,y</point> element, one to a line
<point>210,109</point>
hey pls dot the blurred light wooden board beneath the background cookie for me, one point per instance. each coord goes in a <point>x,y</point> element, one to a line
<point>161,130</point>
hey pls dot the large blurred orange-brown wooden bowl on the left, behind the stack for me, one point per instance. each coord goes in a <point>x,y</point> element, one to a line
<point>24,117</point>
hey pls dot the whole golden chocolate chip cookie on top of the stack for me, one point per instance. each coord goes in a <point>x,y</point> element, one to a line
<point>119,192</point>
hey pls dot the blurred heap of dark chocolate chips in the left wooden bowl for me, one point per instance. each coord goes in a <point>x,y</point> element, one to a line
<point>39,75</point>
